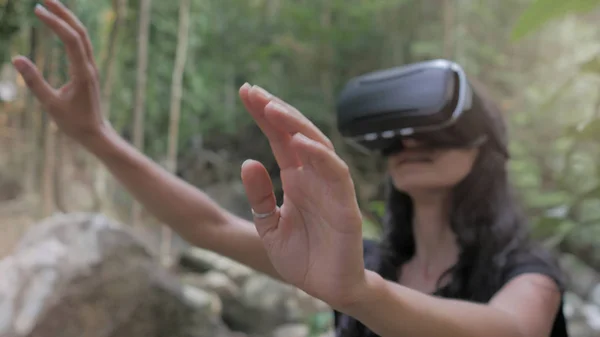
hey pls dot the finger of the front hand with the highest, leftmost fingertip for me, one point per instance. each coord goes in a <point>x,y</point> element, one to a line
<point>278,139</point>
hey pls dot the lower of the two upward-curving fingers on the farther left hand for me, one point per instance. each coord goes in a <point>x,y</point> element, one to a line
<point>70,38</point>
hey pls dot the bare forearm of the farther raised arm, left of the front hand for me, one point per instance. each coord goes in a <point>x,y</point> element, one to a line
<point>183,207</point>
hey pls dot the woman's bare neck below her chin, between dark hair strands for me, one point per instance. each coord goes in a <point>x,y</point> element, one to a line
<point>435,242</point>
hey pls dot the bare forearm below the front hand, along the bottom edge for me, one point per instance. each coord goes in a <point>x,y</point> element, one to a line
<point>391,310</point>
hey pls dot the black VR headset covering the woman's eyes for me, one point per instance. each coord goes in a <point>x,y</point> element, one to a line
<point>429,101</point>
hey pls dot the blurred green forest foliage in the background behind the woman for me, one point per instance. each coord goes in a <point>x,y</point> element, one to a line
<point>540,59</point>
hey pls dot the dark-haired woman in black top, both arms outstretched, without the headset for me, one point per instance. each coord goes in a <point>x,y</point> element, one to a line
<point>314,240</point>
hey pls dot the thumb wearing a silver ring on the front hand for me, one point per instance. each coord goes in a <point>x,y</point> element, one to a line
<point>259,190</point>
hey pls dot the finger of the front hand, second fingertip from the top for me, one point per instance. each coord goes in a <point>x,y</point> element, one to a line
<point>292,121</point>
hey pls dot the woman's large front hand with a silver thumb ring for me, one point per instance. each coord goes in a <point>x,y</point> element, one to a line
<point>314,240</point>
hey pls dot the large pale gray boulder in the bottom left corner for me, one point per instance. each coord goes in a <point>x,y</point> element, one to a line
<point>85,275</point>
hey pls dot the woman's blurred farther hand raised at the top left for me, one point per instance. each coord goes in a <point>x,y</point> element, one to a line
<point>75,107</point>
